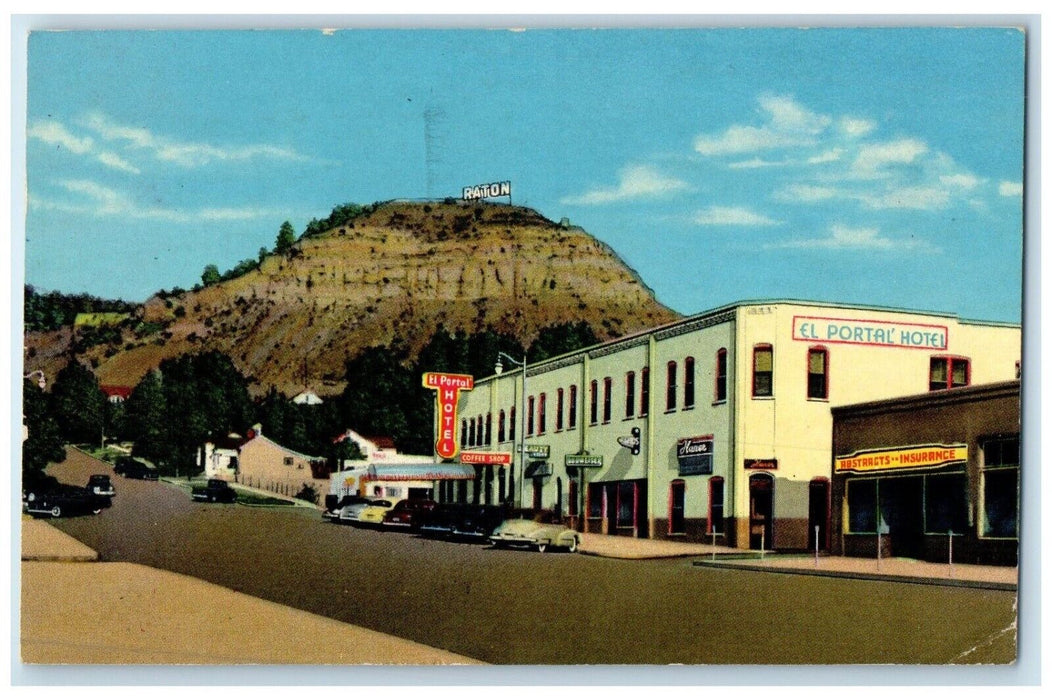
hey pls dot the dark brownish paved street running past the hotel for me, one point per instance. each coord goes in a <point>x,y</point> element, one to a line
<point>522,608</point>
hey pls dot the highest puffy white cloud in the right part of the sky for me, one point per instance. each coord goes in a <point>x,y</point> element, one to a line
<point>787,125</point>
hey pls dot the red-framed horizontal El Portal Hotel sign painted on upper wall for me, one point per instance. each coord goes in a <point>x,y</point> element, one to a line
<point>885,334</point>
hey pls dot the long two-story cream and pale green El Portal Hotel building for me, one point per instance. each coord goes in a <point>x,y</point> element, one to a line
<point>719,428</point>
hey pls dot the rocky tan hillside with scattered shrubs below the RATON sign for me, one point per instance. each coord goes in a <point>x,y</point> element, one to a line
<point>397,272</point>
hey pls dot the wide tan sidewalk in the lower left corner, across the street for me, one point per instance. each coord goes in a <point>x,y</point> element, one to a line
<point>79,611</point>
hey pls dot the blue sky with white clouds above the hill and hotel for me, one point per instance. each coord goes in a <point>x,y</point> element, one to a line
<point>867,166</point>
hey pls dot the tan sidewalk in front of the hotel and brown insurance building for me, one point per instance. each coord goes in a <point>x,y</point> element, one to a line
<point>912,571</point>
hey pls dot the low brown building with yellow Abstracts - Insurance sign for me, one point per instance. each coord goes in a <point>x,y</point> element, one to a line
<point>912,473</point>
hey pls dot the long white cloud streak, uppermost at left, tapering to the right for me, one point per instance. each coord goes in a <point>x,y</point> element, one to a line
<point>185,154</point>
